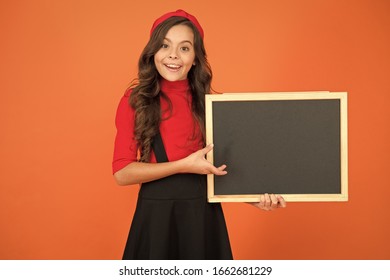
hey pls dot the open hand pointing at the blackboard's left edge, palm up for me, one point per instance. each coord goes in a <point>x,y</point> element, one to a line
<point>197,163</point>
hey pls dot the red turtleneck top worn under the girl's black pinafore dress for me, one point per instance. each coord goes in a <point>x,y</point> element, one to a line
<point>177,128</point>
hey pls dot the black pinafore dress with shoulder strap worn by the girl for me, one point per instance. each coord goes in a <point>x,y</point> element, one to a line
<point>174,221</point>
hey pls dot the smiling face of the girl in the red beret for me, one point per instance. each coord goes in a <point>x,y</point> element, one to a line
<point>176,55</point>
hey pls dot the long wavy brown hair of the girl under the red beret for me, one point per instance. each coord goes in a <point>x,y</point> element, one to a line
<point>146,92</point>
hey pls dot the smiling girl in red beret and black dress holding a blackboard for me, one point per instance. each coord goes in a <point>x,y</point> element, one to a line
<point>159,144</point>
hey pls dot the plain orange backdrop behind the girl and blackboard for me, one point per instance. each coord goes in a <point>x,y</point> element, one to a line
<point>65,64</point>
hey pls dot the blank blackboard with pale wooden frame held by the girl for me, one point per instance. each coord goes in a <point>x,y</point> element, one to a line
<point>294,144</point>
